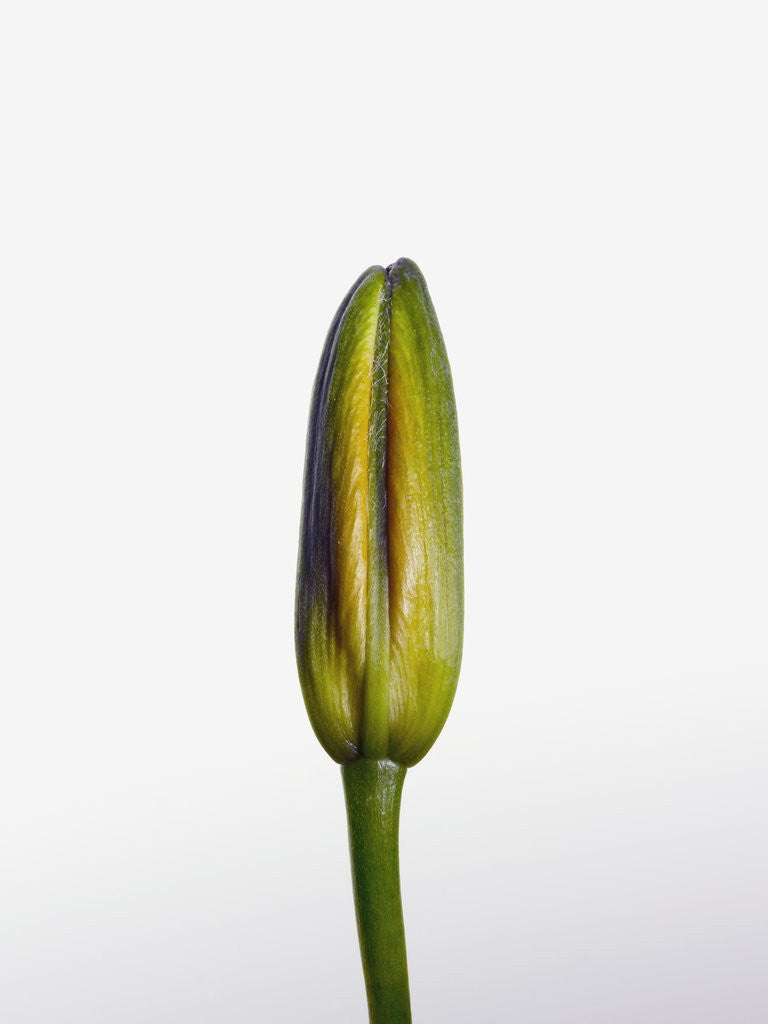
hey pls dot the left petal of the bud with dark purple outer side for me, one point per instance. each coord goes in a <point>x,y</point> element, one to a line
<point>332,620</point>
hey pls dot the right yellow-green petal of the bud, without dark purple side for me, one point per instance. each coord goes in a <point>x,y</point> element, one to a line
<point>425,549</point>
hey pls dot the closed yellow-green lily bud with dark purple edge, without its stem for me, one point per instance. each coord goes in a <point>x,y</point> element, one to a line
<point>379,605</point>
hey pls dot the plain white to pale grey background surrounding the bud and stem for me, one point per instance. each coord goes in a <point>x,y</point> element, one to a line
<point>188,192</point>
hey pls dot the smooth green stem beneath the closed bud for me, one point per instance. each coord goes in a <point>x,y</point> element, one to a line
<point>373,795</point>
